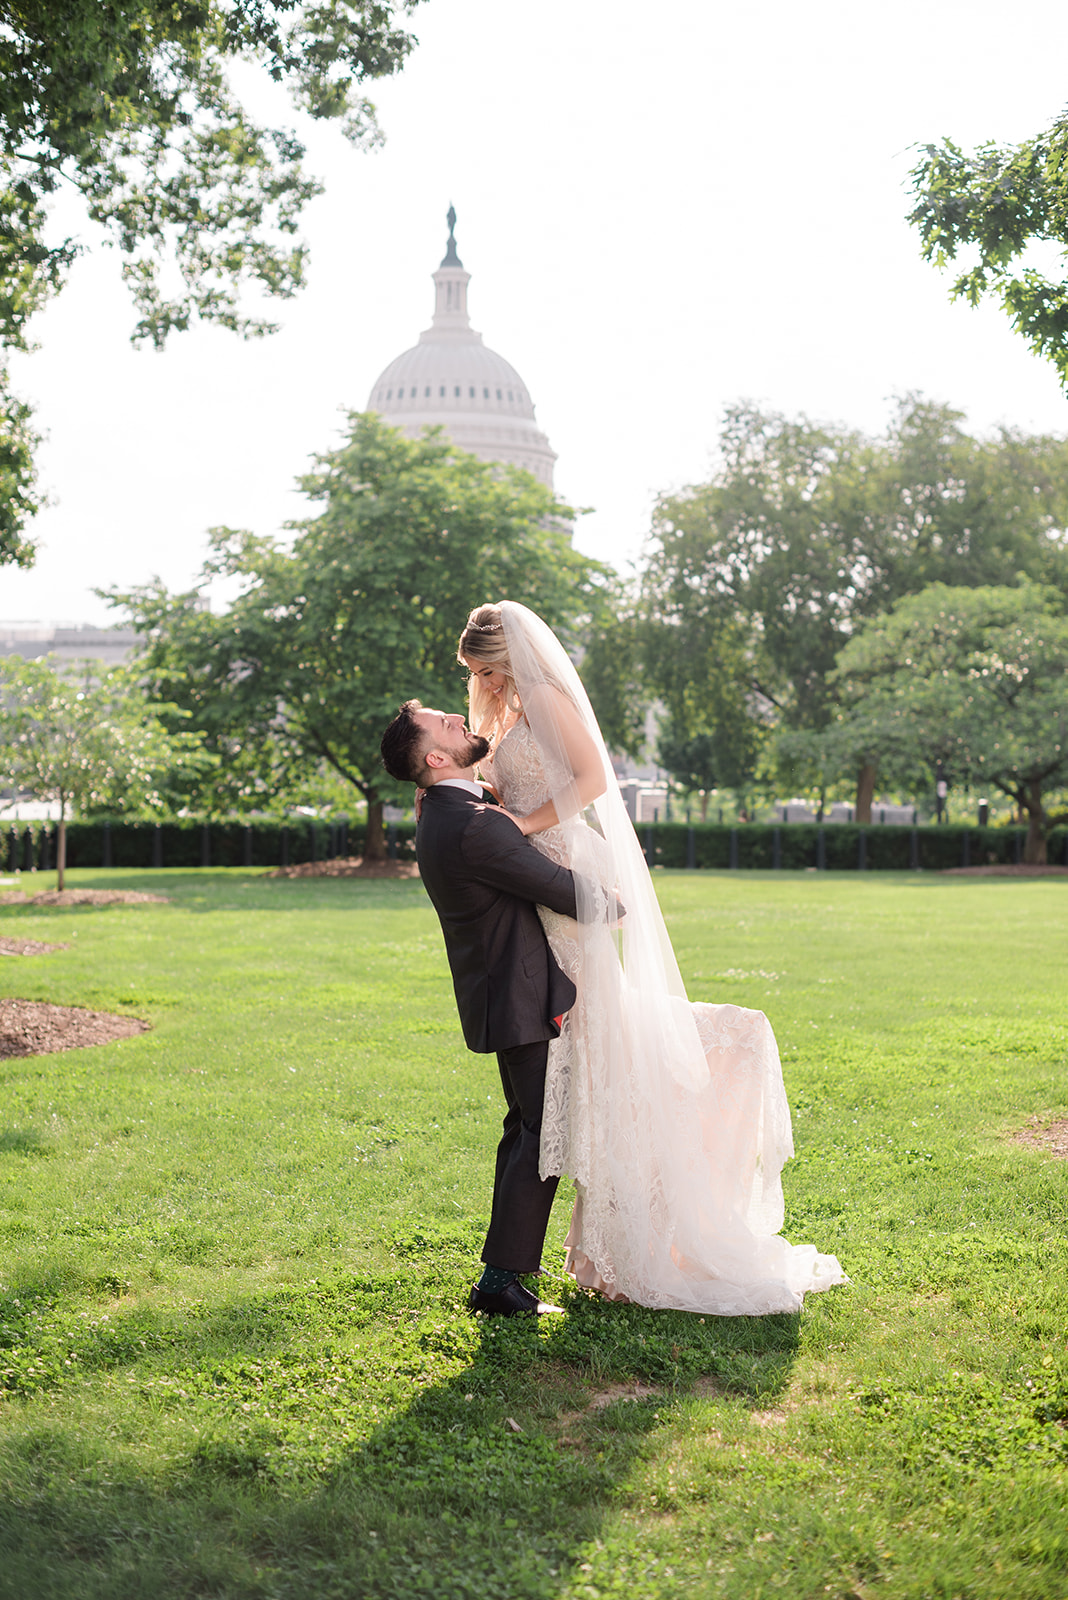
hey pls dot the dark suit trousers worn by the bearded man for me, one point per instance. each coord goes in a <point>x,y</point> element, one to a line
<point>520,1199</point>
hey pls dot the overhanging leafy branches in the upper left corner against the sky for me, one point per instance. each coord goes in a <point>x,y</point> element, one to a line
<point>129,103</point>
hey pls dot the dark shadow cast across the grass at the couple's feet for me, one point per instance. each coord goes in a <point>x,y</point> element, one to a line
<point>429,1455</point>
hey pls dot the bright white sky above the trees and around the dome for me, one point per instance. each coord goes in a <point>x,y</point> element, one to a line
<point>664,210</point>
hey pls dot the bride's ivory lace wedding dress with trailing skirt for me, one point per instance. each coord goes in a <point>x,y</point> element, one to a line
<point>671,1118</point>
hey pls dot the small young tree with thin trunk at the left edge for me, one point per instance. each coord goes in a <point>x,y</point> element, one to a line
<point>86,740</point>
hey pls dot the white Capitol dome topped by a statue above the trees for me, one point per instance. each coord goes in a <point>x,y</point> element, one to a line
<point>452,380</point>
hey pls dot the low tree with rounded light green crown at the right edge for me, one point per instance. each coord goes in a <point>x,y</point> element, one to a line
<point>973,681</point>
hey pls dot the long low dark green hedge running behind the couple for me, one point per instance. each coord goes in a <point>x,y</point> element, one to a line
<point>273,842</point>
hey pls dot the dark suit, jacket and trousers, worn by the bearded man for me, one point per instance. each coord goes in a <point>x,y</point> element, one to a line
<point>485,881</point>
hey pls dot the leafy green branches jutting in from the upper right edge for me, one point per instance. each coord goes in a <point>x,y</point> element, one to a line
<point>998,204</point>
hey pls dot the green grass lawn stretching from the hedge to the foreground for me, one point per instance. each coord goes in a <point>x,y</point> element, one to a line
<point>234,1257</point>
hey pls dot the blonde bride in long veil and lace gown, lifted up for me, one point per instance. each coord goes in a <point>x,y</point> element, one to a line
<point>672,1119</point>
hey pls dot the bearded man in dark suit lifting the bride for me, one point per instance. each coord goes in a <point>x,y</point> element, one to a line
<point>485,881</point>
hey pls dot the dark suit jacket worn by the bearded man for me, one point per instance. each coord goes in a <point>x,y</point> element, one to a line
<point>485,881</point>
